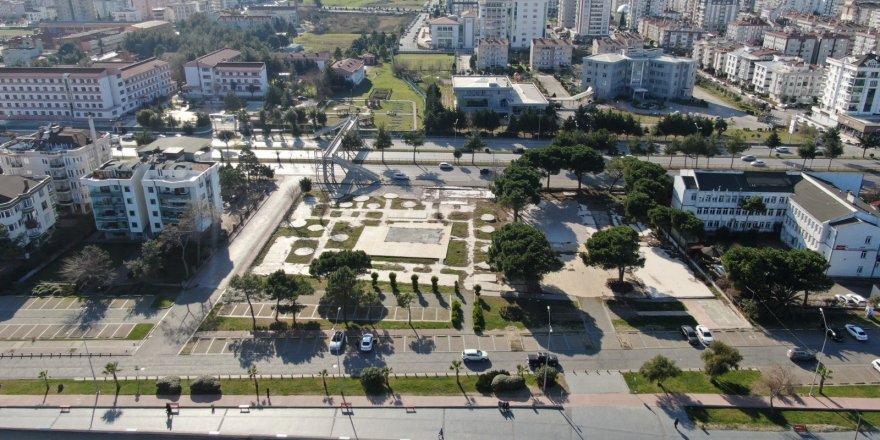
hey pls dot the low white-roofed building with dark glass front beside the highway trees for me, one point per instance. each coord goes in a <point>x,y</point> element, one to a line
<point>496,93</point>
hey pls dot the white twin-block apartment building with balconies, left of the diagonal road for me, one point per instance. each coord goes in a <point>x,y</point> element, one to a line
<point>136,198</point>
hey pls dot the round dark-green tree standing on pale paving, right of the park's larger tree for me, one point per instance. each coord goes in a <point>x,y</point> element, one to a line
<point>614,248</point>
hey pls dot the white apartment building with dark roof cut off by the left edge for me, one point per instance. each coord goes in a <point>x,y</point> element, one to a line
<point>27,208</point>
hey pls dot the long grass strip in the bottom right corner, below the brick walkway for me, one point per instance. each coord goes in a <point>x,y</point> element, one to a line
<point>762,419</point>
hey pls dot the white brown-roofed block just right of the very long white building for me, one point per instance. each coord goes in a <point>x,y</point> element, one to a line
<point>219,72</point>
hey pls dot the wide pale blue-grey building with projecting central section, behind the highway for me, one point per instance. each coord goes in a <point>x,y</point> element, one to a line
<point>639,74</point>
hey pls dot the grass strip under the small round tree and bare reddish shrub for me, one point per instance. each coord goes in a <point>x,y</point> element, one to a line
<point>735,382</point>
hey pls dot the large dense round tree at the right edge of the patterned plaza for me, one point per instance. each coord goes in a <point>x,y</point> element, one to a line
<point>523,254</point>
